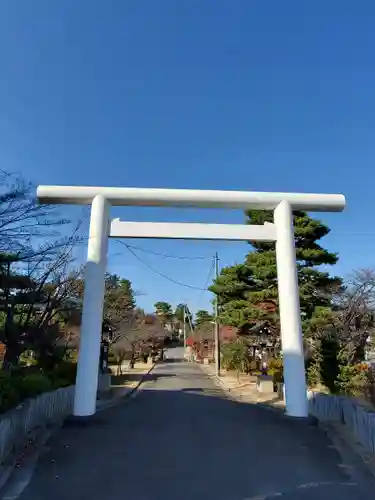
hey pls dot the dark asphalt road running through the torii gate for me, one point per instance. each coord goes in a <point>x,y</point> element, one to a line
<point>182,439</point>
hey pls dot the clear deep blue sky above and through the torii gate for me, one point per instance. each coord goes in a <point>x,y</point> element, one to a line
<point>251,95</point>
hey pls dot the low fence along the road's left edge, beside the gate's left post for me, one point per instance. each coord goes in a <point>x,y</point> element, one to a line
<point>24,422</point>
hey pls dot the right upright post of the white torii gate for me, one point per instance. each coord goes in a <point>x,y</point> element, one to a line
<point>290,315</point>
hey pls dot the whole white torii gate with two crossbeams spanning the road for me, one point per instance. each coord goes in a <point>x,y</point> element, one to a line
<point>281,231</point>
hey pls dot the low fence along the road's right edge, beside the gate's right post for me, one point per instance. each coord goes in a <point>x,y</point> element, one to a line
<point>345,410</point>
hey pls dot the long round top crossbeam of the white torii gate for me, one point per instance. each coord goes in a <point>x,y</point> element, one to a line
<point>148,197</point>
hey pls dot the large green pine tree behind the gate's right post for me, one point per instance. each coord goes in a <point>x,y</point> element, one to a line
<point>243,289</point>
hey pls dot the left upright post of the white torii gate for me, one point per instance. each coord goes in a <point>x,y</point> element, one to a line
<point>91,325</point>
